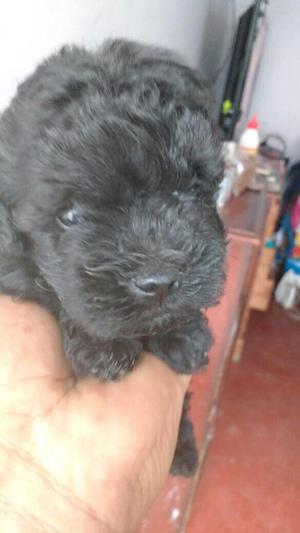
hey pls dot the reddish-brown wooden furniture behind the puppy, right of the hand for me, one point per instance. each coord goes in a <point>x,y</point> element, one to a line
<point>249,219</point>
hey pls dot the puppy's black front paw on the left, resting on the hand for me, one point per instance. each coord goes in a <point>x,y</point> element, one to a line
<point>91,356</point>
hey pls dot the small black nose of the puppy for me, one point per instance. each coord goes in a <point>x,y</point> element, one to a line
<point>157,285</point>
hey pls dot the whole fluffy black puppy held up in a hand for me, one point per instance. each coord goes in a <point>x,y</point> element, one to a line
<point>109,166</point>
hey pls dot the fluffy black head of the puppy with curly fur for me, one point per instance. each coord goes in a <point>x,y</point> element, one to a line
<point>121,213</point>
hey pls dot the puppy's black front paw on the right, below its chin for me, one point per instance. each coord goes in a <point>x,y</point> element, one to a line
<point>185,348</point>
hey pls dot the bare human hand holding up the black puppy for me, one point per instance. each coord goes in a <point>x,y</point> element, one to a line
<point>78,454</point>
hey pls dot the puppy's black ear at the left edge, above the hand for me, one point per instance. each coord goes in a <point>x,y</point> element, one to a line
<point>17,273</point>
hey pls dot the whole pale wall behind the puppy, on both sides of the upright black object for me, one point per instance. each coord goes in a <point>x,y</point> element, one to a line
<point>201,30</point>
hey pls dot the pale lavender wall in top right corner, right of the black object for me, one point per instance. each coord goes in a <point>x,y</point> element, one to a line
<point>277,94</point>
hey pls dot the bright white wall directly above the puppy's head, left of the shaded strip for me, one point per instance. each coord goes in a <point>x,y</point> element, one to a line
<point>31,29</point>
